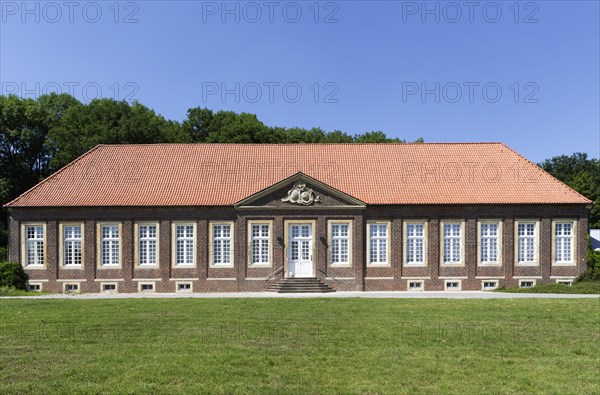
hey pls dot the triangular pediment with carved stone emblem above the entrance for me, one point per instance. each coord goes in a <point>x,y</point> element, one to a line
<point>300,191</point>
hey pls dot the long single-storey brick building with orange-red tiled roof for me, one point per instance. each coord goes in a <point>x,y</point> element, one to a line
<point>372,217</point>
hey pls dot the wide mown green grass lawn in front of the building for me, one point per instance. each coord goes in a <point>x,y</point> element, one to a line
<point>321,346</point>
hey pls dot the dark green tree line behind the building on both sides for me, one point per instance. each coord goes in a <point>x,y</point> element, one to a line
<point>39,136</point>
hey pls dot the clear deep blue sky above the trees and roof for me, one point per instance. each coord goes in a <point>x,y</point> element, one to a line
<point>523,73</point>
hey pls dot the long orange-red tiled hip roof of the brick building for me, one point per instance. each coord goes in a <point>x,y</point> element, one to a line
<point>223,174</point>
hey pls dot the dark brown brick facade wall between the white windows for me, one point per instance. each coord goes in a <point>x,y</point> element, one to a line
<point>244,278</point>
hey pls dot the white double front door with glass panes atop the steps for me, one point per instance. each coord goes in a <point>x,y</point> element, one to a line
<point>300,250</point>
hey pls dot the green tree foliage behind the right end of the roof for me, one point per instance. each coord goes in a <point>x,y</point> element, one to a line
<point>580,173</point>
